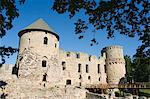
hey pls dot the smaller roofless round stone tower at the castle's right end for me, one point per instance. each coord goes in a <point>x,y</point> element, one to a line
<point>115,64</point>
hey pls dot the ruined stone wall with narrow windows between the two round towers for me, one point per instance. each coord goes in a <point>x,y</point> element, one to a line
<point>82,69</point>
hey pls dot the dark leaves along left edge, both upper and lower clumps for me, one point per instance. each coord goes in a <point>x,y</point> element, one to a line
<point>8,12</point>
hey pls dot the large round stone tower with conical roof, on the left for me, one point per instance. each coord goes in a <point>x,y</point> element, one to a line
<point>39,53</point>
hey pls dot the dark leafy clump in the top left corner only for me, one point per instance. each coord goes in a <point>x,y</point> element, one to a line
<point>8,12</point>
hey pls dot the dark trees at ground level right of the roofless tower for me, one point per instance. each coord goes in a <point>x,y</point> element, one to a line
<point>139,67</point>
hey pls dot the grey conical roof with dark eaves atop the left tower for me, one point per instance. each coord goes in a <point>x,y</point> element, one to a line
<point>39,25</point>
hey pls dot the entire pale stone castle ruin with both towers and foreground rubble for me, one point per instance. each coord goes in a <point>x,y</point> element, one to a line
<point>44,71</point>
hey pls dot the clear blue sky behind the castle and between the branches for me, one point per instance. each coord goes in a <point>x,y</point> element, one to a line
<point>35,9</point>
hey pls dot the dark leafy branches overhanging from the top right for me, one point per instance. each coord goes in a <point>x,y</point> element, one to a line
<point>128,17</point>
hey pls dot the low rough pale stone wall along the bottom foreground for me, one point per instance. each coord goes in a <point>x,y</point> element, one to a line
<point>34,91</point>
